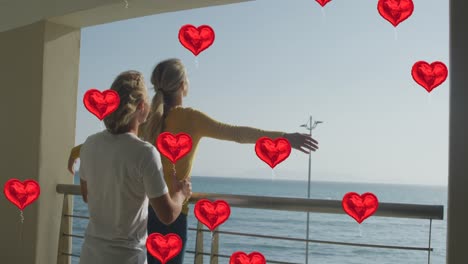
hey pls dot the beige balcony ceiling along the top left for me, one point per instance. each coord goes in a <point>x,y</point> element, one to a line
<point>84,13</point>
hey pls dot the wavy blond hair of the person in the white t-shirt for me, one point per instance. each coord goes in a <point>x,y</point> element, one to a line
<point>130,86</point>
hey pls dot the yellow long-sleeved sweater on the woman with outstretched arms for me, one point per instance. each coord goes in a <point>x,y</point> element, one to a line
<point>198,125</point>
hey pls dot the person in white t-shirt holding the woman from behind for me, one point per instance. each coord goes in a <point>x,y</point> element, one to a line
<point>118,173</point>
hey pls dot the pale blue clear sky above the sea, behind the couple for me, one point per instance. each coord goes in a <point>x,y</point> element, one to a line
<point>276,62</point>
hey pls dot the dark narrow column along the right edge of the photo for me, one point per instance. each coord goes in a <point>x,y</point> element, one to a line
<point>457,214</point>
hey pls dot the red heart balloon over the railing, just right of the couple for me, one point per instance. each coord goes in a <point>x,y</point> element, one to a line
<point>212,214</point>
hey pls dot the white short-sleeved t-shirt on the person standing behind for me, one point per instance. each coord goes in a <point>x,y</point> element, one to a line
<point>121,172</point>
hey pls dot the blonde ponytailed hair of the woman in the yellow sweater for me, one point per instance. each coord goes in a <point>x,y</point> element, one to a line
<point>167,78</point>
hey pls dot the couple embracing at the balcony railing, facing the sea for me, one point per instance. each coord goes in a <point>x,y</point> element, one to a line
<point>121,172</point>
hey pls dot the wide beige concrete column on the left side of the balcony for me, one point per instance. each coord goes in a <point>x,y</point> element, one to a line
<point>39,81</point>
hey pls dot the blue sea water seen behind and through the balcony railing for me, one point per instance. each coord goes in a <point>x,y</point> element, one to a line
<point>330,227</point>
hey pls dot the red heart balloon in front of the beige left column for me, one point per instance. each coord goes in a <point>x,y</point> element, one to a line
<point>20,193</point>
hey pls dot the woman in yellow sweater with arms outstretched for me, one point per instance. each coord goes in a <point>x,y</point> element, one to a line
<point>170,82</point>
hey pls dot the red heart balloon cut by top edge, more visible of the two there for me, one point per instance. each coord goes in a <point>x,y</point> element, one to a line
<point>395,11</point>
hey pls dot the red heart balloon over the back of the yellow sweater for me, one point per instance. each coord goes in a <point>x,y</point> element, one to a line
<point>174,147</point>
